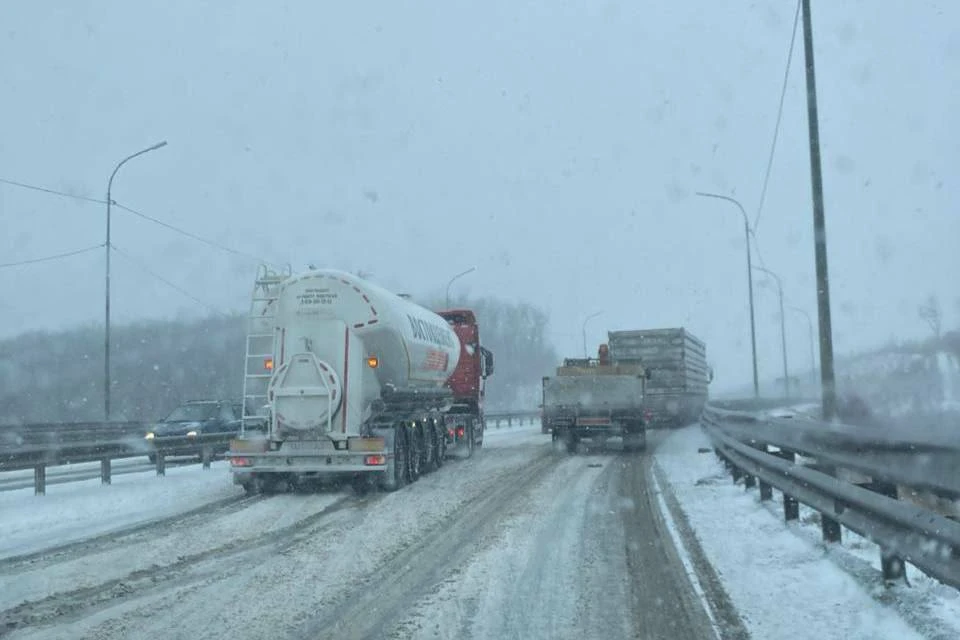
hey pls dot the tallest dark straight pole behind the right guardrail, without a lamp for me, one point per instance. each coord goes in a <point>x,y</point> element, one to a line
<point>827,378</point>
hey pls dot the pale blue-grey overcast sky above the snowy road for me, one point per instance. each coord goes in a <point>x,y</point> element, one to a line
<point>554,145</point>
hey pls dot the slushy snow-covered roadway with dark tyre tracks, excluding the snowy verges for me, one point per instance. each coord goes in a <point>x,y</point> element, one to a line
<point>520,541</point>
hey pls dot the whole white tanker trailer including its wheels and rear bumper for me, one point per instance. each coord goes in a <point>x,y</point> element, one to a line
<point>356,386</point>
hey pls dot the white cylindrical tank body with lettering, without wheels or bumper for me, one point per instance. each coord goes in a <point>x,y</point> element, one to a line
<point>340,340</point>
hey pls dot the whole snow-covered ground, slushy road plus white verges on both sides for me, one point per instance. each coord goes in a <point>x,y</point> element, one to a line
<point>521,541</point>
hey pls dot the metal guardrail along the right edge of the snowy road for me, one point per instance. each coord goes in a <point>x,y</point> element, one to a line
<point>765,450</point>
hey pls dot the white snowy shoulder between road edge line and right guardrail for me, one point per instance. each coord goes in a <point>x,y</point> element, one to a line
<point>785,582</point>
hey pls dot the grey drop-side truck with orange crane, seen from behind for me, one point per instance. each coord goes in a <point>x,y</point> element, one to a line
<point>595,399</point>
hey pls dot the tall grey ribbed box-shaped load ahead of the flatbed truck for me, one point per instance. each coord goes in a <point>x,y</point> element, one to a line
<point>678,372</point>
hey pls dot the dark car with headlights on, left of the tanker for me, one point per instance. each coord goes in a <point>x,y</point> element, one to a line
<point>194,425</point>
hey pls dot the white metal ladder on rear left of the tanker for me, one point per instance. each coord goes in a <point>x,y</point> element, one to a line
<point>259,361</point>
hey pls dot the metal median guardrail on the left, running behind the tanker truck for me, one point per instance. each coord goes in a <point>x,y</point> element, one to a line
<point>39,446</point>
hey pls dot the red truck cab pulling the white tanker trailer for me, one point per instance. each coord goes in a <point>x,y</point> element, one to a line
<point>465,423</point>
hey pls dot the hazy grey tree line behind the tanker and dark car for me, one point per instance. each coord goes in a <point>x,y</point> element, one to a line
<point>157,364</point>
